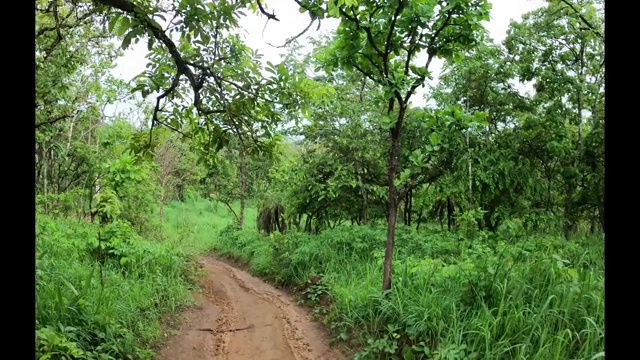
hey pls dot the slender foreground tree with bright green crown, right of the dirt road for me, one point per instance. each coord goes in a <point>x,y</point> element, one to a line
<point>381,40</point>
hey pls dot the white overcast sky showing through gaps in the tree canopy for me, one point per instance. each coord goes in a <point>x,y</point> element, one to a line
<point>293,22</point>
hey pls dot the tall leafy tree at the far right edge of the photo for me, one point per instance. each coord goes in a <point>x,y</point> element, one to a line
<point>560,47</point>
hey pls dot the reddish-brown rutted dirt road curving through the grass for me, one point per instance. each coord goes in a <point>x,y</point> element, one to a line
<point>241,317</point>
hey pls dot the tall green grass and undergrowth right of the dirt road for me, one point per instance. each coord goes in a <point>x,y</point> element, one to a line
<point>452,298</point>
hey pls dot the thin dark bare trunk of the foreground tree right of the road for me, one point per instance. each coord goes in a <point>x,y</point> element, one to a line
<point>393,198</point>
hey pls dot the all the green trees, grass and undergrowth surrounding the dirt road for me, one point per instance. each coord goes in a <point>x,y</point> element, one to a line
<point>468,228</point>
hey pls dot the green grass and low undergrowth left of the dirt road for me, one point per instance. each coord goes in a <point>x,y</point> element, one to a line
<point>104,294</point>
